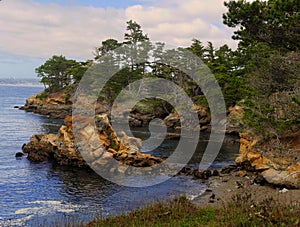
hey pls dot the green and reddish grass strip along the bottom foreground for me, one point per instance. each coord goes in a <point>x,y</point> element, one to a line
<point>241,211</point>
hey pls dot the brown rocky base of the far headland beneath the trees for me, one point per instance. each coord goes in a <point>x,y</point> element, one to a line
<point>59,105</point>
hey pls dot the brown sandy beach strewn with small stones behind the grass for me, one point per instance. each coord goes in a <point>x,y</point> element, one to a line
<point>226,187</point>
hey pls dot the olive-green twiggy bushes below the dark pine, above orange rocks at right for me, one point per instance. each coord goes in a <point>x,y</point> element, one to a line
<point>274,79</point>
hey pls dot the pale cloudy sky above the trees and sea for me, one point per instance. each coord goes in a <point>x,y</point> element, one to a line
<point>32,31</point>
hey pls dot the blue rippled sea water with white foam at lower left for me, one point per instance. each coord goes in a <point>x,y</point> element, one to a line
<point>40,194</point>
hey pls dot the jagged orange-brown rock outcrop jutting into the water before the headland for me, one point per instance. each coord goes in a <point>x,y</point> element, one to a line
<point>62,148</point>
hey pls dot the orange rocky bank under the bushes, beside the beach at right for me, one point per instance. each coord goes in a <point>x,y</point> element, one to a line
<point>279,167</point>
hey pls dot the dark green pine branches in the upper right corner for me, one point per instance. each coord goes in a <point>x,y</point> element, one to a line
<point>274,22</point>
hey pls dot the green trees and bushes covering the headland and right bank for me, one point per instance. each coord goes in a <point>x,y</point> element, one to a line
<point>262,75</point>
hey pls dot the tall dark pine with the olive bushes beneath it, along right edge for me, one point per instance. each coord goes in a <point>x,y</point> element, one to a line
<point>268,56</point>
